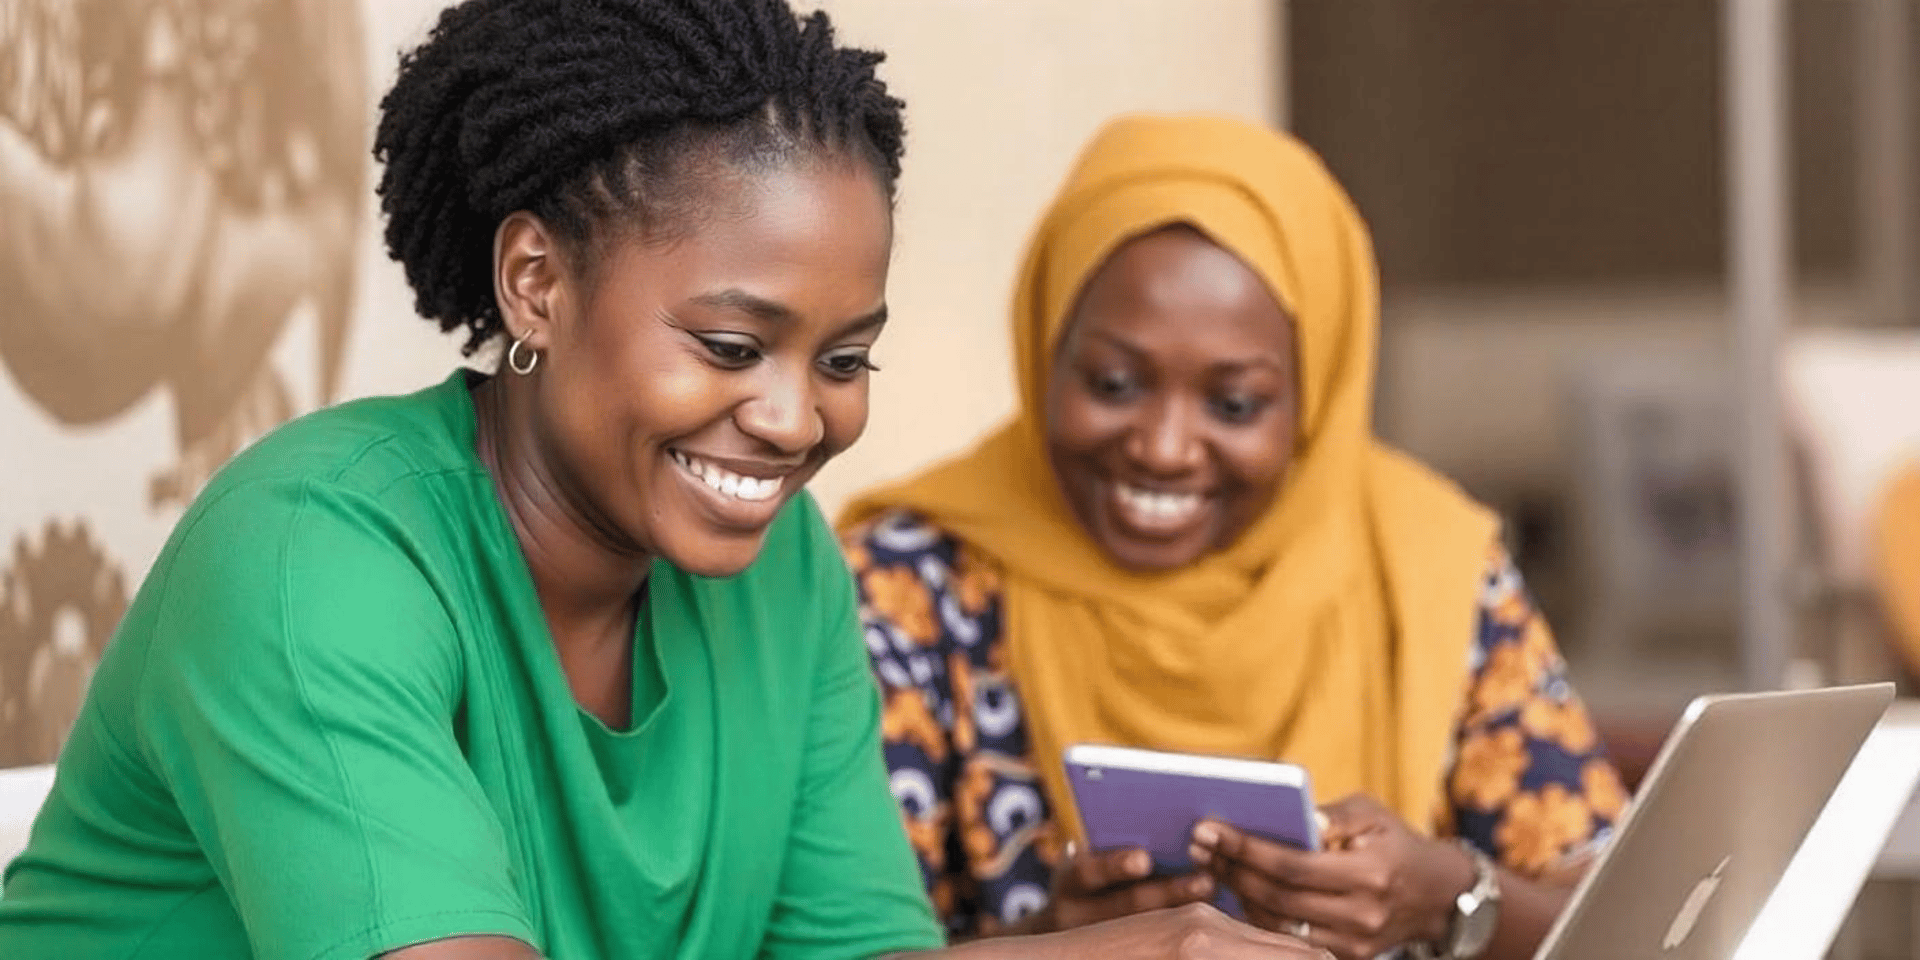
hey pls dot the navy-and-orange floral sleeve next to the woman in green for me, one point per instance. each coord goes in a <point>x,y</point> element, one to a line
<point>953,725</point>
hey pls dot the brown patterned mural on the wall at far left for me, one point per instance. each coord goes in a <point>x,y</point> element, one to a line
<point>180,181</point>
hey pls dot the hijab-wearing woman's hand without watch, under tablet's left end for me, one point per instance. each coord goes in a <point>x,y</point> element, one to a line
<point>1092,888</point>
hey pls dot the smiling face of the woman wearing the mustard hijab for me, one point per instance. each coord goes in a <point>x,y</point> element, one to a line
<point>1172,402</point>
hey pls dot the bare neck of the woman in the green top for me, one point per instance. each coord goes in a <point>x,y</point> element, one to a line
<point>587,581</point>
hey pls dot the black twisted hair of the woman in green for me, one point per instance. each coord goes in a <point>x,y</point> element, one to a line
<point>598,112</point>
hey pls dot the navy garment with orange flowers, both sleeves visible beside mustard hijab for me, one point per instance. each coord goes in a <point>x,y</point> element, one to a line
<point>1527,780</point>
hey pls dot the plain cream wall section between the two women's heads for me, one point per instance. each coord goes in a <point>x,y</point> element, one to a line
<point>1001,95</point>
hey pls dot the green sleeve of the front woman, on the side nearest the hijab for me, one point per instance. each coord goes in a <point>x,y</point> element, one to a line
<point>848,888</point>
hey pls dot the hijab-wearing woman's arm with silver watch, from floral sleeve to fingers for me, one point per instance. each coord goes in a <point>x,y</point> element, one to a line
<point>1531,788</point>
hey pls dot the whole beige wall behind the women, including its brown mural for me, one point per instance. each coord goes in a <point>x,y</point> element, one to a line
<point>191,245</point>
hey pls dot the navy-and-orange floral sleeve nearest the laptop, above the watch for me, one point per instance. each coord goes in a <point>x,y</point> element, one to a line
<point>1531,780</point>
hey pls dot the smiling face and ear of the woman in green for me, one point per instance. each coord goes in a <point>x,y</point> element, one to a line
<point>686,391</point>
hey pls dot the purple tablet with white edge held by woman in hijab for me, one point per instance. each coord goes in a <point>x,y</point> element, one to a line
<point>1122,805</point>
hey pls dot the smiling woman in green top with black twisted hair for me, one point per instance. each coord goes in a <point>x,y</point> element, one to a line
<point>560,661</point>
